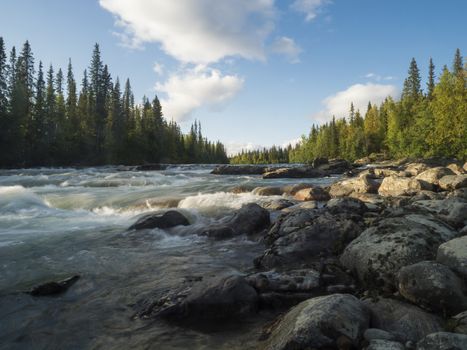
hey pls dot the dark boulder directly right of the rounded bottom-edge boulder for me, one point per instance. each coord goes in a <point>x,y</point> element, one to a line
<point>405,321</point>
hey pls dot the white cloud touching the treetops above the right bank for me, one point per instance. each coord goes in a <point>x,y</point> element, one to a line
<point>359,94</point>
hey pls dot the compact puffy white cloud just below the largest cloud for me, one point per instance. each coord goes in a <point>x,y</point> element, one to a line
<point>193,88</point>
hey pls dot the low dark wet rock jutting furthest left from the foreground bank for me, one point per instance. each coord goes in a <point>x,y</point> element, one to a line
<point>214,299</point>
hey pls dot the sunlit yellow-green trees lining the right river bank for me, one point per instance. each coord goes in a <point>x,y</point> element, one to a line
<point>430,122</point>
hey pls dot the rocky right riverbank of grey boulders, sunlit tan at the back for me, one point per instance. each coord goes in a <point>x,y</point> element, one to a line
<point>374,261</point>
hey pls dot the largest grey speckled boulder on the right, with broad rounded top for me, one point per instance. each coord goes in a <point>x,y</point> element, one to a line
<point>378,254</point>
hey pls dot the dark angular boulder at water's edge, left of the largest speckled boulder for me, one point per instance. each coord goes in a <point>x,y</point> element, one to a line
<point>303,236</point>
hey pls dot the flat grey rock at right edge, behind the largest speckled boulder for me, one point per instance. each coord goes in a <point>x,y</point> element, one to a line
<point>450,210</point>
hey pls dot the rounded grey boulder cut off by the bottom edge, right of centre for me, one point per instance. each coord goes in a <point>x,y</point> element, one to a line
<point>320,323</point>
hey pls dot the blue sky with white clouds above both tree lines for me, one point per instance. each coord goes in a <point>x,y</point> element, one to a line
<point>253,72</point>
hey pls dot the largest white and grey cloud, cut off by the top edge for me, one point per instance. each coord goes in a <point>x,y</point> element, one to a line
<point>196,31</point>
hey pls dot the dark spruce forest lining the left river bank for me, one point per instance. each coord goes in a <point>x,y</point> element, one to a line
<point>46,121</point>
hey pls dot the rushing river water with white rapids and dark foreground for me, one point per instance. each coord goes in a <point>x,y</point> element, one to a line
<point>59,222</point>
